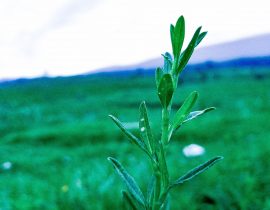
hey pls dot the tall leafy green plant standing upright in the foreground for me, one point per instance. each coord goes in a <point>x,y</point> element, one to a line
<point>166,82</point>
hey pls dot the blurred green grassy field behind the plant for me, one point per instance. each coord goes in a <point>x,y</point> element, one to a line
<point>57,136</point>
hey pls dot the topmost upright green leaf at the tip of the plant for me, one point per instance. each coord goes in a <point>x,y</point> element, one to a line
<point>179,35</point>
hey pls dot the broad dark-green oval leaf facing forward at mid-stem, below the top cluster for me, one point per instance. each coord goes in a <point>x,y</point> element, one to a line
<point>165,90</point>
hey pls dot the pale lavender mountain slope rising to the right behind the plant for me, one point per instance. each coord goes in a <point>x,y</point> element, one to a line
<point>251,47</point>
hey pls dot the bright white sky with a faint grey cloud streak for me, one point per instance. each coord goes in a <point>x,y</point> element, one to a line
<point>69,37</point>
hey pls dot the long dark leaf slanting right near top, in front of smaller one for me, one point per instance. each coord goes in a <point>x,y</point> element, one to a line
<point>185,56</point>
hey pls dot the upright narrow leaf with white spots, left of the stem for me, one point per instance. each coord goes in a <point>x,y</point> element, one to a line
<point>145,130</point>
